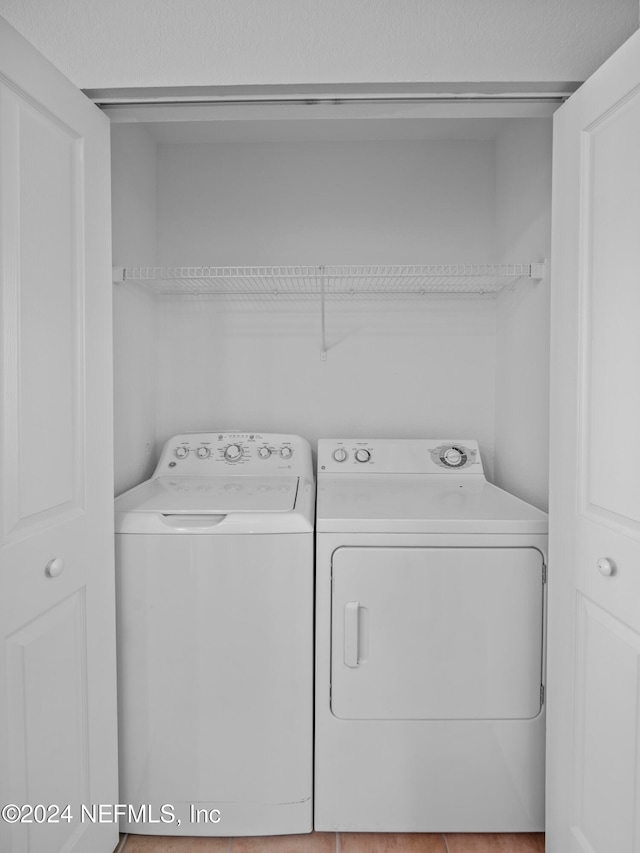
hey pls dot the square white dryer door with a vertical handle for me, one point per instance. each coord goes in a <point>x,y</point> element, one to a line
<point>436,633</point>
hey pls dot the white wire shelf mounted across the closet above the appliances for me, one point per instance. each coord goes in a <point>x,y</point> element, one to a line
<point>327,281</point>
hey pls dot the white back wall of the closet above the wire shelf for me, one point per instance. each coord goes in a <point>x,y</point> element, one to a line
<point>326,202</point>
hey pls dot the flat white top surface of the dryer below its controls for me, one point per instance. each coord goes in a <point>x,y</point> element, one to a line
<point>421,504</point>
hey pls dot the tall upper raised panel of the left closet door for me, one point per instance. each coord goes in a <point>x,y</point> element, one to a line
<point>42,318</point>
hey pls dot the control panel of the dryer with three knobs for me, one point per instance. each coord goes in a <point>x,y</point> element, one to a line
<point>398,456</point>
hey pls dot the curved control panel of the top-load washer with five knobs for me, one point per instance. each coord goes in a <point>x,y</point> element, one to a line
<point>214,453</point>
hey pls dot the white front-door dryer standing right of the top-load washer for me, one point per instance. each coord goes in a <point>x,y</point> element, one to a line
<point>430,609</point>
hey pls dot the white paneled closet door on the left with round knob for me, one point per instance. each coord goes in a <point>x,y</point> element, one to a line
<point>57,662</point>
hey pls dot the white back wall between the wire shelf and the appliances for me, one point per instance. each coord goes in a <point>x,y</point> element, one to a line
<point>429,373</point>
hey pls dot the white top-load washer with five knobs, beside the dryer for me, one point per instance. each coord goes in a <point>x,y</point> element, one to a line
<point>214,563</point>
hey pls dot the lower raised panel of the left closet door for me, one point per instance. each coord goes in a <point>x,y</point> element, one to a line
<point>47,716</point>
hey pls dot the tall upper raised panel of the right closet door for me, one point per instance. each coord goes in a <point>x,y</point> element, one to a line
<point>609,316</point>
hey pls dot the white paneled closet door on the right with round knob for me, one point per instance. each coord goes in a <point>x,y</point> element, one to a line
<point>593,755</point>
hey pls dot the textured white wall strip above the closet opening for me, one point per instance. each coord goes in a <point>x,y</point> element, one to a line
<point>102,43</point>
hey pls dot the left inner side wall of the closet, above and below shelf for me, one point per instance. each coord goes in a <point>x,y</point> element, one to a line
<point>134,311</point>
